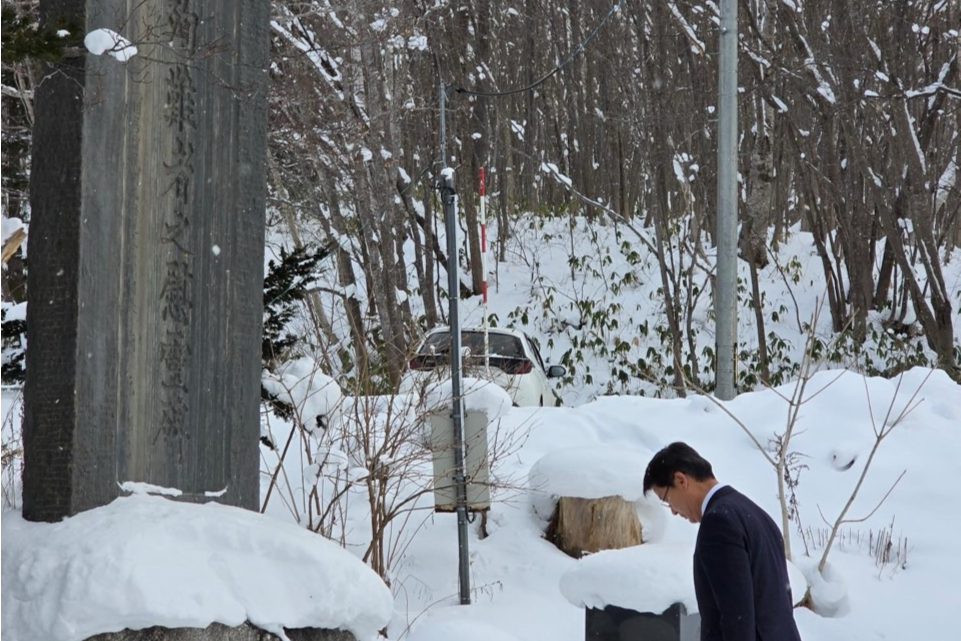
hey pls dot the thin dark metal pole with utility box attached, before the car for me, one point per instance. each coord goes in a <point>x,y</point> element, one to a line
<point>449,199</point>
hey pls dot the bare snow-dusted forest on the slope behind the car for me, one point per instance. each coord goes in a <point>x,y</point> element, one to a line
<point>603,113</point>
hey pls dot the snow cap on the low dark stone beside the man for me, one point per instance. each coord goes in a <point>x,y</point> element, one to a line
<point>644,578</point>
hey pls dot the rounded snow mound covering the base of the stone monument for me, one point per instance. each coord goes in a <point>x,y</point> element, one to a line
<point>146,561</point>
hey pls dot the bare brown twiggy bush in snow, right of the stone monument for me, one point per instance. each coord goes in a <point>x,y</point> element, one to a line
<point>355,468</point>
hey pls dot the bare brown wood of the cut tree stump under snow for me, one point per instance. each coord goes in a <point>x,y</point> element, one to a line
<point>580,526</point>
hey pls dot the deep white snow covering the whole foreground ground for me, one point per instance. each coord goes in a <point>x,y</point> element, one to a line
<point>519,580</point>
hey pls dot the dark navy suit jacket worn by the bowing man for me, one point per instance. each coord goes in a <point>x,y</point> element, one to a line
<point>740,575</point>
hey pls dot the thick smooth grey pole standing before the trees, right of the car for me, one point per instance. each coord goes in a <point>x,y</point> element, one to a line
<point>726,296</point>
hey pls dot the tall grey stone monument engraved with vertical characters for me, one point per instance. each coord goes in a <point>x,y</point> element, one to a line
<point>145,295</point>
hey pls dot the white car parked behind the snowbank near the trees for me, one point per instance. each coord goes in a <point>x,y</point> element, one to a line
<point>512,362</point>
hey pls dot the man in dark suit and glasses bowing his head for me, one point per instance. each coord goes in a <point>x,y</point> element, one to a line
<point>740,573</point>
